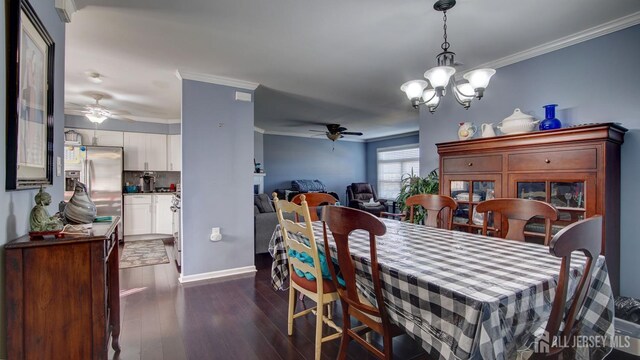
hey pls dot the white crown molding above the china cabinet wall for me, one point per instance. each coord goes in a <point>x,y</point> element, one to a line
<point>588,34</point>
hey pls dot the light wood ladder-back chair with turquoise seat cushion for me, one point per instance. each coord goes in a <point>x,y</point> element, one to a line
<point>321,291</point>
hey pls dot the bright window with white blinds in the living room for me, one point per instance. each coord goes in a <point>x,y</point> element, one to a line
<point>393,164</point>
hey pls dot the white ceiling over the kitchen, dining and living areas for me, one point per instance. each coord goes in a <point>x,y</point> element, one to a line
<point>321,61</point>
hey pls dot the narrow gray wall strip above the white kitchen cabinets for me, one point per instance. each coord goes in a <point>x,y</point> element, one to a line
<point>81,122</point>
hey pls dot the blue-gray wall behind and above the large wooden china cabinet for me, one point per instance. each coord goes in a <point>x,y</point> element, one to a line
<point>594,81</point>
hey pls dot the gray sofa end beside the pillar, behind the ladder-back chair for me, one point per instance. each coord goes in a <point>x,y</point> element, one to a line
<point>264,222</point>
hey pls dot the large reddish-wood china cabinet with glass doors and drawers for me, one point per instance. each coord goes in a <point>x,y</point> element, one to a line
<point>575,169</point>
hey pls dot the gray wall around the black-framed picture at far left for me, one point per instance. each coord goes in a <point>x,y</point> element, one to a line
<point>16,205</point>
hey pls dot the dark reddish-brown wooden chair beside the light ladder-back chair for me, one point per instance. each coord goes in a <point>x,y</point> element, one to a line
<point>342,221</point>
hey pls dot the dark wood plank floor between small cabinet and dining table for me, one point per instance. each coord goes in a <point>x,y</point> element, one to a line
<point>239,318</point>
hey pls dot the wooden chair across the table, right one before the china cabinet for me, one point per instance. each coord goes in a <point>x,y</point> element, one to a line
<point>517,212</point>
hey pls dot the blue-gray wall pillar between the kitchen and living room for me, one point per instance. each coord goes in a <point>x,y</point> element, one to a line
<point>217,180</point>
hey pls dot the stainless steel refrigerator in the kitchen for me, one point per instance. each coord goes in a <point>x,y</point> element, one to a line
<point>100,169</point>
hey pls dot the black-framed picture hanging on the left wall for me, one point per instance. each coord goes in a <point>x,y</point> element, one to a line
<point>30,68</point>
